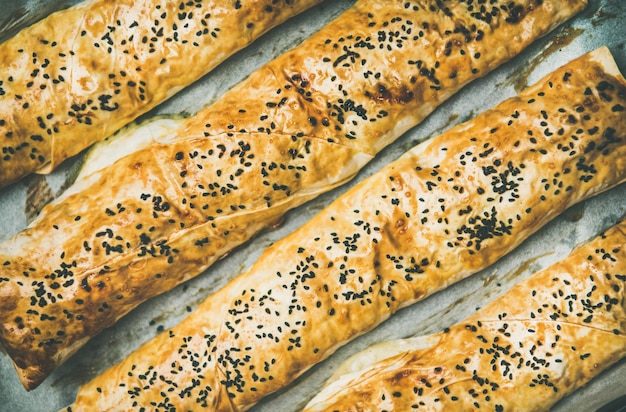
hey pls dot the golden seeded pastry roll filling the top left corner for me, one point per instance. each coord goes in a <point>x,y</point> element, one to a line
<point>80,74</point>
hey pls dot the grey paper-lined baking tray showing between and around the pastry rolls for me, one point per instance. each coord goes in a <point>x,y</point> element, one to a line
<point>602,23</point>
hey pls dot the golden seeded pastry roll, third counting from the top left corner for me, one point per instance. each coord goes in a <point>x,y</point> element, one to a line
<point>445,210</point>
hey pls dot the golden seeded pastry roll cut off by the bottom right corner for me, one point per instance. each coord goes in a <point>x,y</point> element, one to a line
<point>526,350</point>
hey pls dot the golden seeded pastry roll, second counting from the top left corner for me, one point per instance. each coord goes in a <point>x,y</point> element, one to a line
<point>299,126</point>
